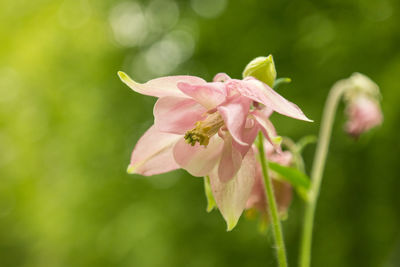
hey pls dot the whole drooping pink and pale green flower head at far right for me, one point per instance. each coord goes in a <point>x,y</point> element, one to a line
<point>363,110</point>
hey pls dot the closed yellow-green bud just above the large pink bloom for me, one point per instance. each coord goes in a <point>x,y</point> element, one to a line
<point>263,69</point>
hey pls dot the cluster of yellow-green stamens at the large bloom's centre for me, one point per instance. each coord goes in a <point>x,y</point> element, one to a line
<point>204,130</point>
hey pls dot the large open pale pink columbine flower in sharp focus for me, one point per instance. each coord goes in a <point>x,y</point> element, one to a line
<point>208,129</point>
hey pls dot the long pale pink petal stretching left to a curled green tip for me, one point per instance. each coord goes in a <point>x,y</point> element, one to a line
<point>159,87</point>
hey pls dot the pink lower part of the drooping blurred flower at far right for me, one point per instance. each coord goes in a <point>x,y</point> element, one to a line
<point>363,114</point>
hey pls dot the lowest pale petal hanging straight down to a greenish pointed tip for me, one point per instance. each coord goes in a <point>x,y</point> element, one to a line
<point>231,197</point>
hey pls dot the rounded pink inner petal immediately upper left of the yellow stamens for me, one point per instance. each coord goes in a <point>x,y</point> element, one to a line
<point>177,114</point>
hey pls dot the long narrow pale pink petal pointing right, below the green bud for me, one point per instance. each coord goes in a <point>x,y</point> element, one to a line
<point>262,93</point>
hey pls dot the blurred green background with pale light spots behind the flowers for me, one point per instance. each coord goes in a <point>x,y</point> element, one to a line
<point>68,125</point>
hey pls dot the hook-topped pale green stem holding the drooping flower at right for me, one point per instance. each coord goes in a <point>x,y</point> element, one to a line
<point>317,170</point>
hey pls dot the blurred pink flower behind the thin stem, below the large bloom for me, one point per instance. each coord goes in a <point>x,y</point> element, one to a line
<point>282,189</point>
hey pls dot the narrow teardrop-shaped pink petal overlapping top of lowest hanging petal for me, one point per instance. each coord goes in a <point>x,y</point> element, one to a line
<point>231,159</point>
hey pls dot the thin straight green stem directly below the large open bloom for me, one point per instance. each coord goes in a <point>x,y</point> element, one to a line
<point>273,210</point>
